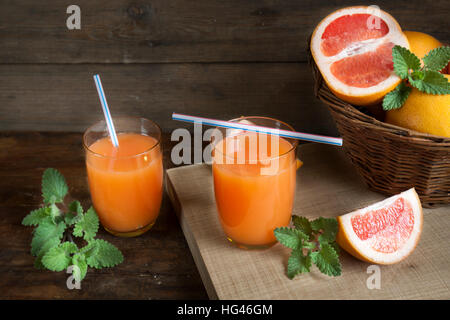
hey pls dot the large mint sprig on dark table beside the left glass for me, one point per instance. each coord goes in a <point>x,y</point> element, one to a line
<point>58,224</point>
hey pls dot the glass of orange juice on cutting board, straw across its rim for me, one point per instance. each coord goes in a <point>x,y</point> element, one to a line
<point>254,182</point>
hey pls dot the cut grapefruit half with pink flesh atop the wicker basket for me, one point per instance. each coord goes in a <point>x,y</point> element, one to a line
<point>352,48</point>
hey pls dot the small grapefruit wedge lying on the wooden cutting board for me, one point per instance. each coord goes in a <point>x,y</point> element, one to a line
<point>385,232</point>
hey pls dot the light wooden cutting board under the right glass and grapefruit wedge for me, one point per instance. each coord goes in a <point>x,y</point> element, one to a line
<point>327,185</point>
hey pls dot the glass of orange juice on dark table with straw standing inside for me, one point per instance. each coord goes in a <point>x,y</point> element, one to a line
<point>126,183</point>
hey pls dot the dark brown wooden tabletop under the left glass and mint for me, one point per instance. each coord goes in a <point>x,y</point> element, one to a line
<point>158,264</point>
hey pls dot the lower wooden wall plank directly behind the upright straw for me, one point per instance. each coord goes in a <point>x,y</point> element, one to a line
<point>64,98</point>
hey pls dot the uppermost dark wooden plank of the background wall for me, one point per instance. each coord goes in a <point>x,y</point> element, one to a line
<point>123,31</point>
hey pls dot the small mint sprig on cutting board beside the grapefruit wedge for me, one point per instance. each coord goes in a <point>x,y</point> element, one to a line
<point>311,242</point>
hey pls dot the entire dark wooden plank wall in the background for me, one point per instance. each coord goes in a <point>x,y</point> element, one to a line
<point>160,56</point>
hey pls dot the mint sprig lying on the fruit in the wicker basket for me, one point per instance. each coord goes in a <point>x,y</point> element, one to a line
<point>426,78</point>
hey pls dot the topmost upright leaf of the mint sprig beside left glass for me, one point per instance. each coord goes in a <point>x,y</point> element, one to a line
<point>54,187</point>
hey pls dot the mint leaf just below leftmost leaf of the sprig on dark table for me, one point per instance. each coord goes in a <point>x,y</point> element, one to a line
<point>46,231</point>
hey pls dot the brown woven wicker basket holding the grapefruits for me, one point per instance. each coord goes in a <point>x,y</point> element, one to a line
<point>389,158</point>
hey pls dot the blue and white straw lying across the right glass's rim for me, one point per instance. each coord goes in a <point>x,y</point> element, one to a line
<point>255,128</point>
